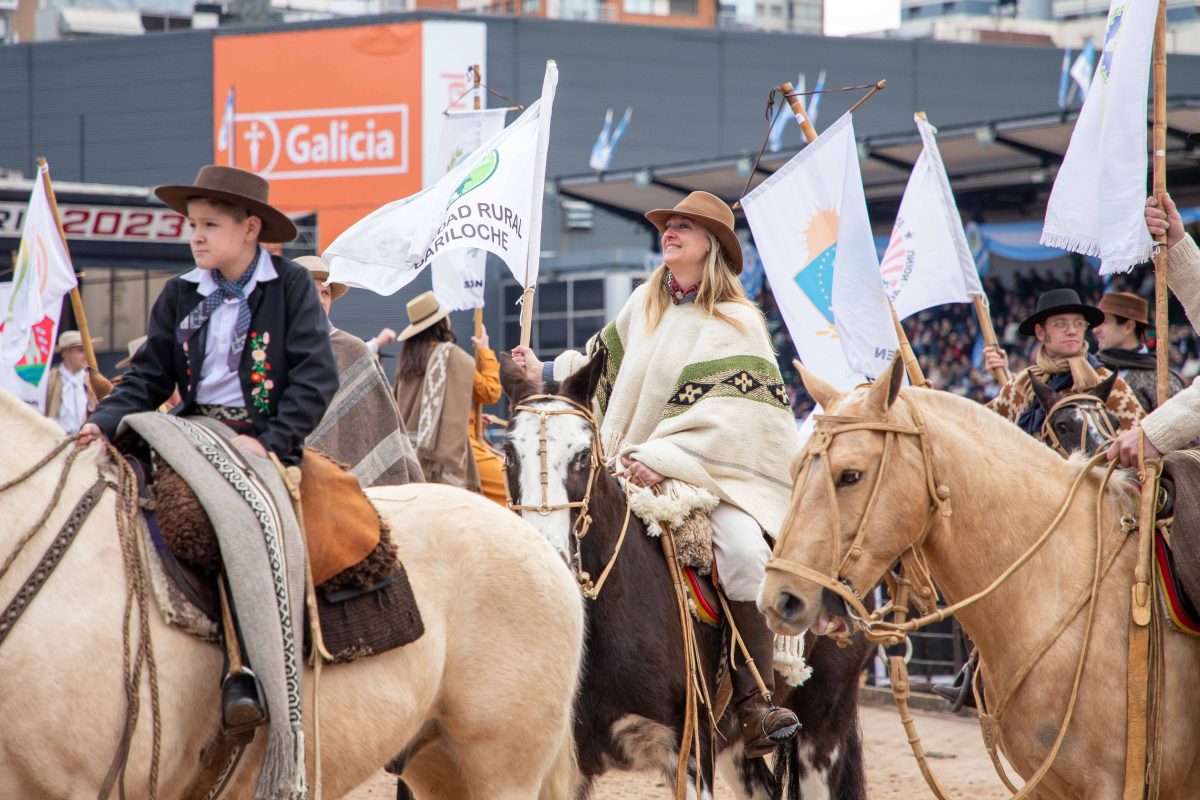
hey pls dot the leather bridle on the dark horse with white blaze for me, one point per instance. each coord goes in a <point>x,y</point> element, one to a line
<point>583,524</point>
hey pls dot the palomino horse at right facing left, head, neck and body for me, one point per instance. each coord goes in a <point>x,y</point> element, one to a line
<point>1001,491</point>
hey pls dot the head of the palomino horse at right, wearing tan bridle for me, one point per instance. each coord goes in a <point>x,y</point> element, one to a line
<point>865,473</point>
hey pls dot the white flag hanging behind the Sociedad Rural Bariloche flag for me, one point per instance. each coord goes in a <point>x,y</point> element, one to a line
<point>459,274</point>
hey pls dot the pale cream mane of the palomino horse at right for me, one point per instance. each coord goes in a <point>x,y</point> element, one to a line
<point>1006,436</point>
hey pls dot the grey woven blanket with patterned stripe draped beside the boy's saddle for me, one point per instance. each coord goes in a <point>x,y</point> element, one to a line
<point>244,494</point>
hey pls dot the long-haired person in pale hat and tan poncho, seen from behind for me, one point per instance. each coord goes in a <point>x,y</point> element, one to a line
<point>435,387</point>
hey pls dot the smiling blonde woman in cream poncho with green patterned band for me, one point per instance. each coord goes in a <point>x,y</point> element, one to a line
<point>693,402</point>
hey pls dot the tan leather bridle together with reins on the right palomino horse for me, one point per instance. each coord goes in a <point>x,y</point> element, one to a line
<point>913,562</point>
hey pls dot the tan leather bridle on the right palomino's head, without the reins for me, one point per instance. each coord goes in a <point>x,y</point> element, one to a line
<point>913,561</point>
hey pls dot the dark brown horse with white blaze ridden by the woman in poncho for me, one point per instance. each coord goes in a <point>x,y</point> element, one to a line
<point>631,711</point>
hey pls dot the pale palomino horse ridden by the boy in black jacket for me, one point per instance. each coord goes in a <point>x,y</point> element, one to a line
<point>488,691</point>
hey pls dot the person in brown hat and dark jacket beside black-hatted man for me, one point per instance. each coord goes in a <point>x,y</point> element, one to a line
<point>1121,340</point>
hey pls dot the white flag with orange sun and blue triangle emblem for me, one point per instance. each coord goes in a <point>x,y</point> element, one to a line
<point>811,226</point>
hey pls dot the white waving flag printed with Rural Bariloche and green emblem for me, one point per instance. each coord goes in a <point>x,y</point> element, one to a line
<point>490,202</point>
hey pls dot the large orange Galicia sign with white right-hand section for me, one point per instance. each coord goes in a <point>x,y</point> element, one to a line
<point>337,119</point>
